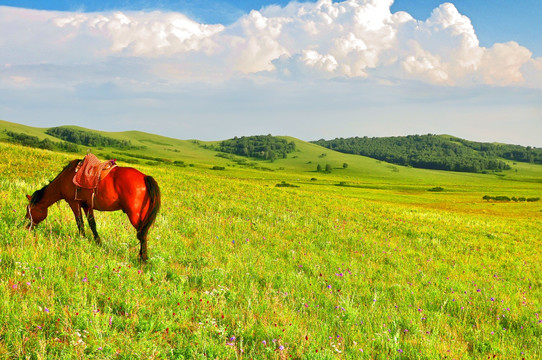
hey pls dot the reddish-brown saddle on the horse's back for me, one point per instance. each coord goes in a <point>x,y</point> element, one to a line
<point>90,171</point>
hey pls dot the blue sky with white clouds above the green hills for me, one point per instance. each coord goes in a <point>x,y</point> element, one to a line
<point>215,69</point>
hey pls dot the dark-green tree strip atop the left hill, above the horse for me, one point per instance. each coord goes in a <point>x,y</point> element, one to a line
<point>87,138</point>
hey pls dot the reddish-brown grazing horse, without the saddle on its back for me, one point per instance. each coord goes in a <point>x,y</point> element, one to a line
<point>124,188</point>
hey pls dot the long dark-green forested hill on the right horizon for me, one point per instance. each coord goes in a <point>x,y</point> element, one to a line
<point>439,152</point>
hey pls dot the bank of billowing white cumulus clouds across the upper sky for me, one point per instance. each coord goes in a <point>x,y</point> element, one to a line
<point>349,39</point>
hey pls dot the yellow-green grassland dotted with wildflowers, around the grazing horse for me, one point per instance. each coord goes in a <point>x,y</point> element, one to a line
<point>376,268</point>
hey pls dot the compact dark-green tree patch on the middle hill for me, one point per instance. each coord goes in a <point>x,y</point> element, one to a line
<point>266,147</point>
